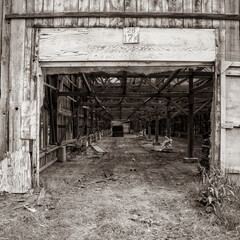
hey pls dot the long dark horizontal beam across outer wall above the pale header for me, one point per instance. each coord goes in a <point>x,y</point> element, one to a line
<point>233,17</point>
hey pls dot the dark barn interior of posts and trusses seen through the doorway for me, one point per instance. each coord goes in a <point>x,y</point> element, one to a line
<point>81,105</point>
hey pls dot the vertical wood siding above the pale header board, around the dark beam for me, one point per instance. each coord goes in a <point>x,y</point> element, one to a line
<point>228,30</point>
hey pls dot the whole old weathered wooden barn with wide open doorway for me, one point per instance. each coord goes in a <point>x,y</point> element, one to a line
<point>69,68</point>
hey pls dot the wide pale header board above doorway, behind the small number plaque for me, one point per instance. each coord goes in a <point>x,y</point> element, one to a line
<point>185,45</point>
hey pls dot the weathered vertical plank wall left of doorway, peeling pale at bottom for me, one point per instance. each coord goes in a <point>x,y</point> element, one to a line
<point>18,102</point>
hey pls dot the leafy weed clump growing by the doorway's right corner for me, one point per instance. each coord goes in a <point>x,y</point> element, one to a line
<point>219,195</point>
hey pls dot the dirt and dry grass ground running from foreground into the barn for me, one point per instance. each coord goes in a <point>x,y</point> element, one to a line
<point>130,192</point>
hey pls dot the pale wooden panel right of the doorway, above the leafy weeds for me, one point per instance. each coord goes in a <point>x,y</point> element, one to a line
<point>230,115</point>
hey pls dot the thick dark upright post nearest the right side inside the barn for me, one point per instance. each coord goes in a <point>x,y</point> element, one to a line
<point>190,119</point>
